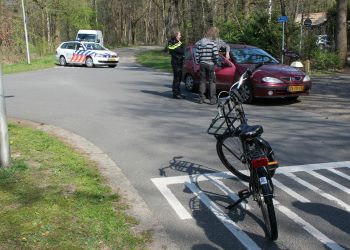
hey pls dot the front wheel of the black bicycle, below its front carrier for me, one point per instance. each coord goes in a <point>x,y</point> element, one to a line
<point>230,152</point>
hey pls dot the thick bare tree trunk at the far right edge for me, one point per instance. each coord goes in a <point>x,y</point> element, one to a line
<point>341,41</point>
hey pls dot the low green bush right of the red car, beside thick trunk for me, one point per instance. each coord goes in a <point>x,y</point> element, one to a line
<point>324,60</point>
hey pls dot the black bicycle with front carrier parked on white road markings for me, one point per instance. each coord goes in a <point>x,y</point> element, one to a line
<point>245,153</point>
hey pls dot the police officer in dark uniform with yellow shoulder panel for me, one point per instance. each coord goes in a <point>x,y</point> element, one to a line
<point>176,50</point>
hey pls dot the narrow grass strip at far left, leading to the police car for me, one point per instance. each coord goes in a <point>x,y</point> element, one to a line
<point>45,62</point>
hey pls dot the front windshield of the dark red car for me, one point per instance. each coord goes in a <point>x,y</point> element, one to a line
<point>252,56</point>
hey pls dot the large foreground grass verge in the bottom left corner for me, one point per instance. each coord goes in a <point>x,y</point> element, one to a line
<point>53,198</point>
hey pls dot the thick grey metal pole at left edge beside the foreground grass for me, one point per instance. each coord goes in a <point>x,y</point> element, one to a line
<point>4,139</point>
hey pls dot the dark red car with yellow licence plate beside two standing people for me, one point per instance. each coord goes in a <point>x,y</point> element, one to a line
<point>272,80</point>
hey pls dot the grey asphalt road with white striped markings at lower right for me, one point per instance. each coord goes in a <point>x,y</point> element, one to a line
<point>162,147</point>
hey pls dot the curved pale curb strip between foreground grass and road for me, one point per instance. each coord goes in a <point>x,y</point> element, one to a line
<point>115,179</point>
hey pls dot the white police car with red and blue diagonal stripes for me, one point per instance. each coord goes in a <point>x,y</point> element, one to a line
<point>85,53</point>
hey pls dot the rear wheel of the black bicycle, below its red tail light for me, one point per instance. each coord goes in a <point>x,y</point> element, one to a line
<point>265,202</point>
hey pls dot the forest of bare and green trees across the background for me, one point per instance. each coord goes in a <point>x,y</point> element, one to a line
<point>150,22</point>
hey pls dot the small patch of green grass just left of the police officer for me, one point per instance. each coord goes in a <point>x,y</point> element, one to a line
<point>157,59</point>
